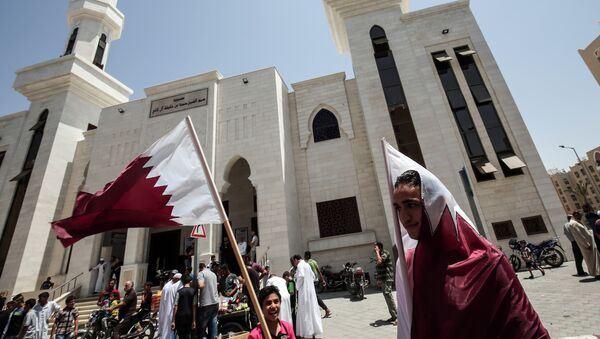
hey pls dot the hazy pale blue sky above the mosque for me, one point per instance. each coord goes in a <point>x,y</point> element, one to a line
<point>534,42</point>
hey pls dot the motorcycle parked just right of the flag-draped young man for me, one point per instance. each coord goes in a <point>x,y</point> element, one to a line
<point>548,251</point>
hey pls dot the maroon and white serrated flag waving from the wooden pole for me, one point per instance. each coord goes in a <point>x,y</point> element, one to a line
<point>167,185</point>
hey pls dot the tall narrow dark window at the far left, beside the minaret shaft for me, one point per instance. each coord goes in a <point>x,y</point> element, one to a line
<point>22,180</point>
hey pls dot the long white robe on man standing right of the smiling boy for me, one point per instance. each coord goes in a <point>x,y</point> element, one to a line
<point>308,318</point>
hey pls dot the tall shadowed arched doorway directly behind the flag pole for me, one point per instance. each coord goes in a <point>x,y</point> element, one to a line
<point>240,204</point>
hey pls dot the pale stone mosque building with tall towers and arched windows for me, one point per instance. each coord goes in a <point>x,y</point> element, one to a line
<point>300,164</point>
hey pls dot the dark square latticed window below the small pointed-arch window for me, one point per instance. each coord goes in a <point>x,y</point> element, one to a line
<point>337,217</point>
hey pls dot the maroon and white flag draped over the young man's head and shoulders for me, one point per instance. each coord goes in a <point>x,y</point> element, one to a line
<point>452,282</point>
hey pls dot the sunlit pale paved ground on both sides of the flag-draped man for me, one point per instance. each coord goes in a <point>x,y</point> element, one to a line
<point>567,305</point>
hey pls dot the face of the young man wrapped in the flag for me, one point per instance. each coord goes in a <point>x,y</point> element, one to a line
<point>407,201</point>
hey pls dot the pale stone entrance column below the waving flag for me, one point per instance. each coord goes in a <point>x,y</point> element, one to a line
<point>135,265</point>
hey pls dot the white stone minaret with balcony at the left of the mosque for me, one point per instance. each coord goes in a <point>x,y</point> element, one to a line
<point>66,95</point>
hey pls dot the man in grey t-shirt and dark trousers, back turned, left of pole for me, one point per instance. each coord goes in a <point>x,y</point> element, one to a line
<point>208,303</point>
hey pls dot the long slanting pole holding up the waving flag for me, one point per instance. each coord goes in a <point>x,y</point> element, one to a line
<point>230,235</point>
